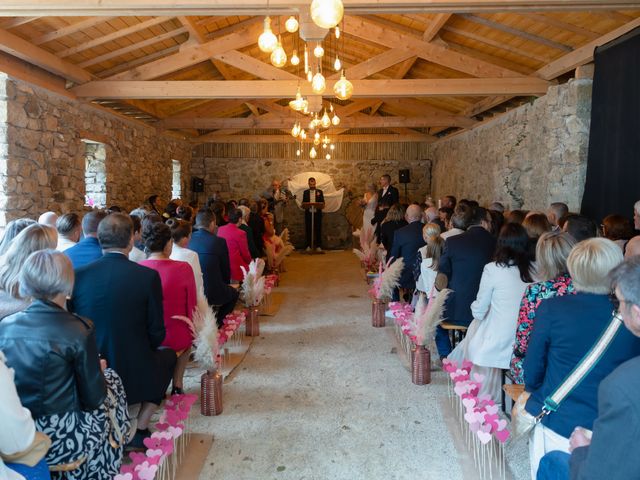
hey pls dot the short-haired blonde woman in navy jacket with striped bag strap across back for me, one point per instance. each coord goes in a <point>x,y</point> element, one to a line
<point>566,328</point>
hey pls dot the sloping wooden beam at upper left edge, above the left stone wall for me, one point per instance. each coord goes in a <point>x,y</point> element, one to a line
<point>18,47</point>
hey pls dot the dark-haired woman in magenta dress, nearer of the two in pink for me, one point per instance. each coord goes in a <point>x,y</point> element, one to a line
<point>179,295</point>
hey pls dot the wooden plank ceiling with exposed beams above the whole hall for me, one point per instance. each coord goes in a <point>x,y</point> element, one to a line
<point>421,71</point>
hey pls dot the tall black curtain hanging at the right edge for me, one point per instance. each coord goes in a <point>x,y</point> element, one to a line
<point>613,167</point>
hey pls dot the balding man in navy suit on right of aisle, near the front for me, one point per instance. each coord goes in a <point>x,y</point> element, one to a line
<point>406,243</point>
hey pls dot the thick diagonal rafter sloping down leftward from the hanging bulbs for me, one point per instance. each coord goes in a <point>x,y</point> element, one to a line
<point>191,55</point>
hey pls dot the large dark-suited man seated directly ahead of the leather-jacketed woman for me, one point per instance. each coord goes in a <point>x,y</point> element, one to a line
<point>124,300</point>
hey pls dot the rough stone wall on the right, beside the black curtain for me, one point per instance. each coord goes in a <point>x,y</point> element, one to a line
<point>527,158</point>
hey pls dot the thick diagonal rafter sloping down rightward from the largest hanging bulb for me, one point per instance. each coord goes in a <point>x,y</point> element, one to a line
<point>368,30</point>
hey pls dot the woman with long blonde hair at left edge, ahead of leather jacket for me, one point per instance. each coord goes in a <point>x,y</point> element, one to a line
<point>33,238</point>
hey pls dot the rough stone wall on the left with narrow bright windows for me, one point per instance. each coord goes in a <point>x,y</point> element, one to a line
<point>43,155</point>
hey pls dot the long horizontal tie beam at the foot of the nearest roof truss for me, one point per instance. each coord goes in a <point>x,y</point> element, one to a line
<point>275,88</point>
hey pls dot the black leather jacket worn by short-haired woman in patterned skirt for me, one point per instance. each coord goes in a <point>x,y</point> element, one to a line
<point>55,358</point>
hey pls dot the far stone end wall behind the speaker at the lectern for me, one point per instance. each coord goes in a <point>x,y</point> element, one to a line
<point>243,170</point>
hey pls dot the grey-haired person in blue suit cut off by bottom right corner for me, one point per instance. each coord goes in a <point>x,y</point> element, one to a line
<point>605,453</point>
